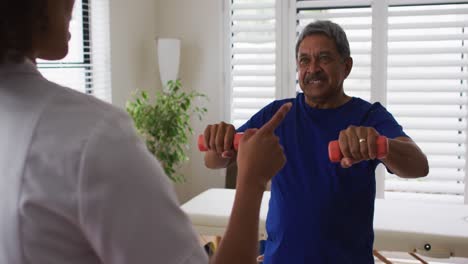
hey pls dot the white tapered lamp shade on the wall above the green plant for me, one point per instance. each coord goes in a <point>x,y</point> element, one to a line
<point>168,58</point>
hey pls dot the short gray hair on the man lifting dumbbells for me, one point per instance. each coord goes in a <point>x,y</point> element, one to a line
<point>331,30</point>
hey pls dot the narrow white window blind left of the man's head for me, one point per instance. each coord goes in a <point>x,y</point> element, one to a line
<point>252,46</point>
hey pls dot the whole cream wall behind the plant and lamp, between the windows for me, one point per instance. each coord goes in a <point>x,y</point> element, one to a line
<point>134,26</point>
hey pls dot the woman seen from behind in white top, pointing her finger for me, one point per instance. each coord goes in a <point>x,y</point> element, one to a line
<point>77,184</point>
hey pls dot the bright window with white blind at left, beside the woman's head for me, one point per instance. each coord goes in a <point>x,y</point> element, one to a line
<point>86,68</point>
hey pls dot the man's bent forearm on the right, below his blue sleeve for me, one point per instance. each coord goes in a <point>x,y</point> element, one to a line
<point>406,159</point>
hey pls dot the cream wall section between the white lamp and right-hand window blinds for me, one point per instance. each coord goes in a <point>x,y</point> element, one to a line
<point>198,25</point>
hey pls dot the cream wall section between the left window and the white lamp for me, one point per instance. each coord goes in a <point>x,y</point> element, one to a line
<point>133,65</point>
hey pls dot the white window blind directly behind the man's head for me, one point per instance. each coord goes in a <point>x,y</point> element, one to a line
<point>356,20</point>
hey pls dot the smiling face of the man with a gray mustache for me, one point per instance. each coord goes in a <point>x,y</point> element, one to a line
<point>321,68</point>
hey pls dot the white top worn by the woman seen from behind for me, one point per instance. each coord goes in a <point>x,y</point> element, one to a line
<point>76,183</point>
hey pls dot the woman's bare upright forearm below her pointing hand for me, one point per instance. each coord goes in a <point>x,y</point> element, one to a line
<point>240,242</point>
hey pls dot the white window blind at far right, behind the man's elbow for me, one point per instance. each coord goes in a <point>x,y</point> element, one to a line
<point>427,93</point>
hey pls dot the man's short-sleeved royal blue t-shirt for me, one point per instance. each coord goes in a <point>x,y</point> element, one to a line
<point>318,211</point>
